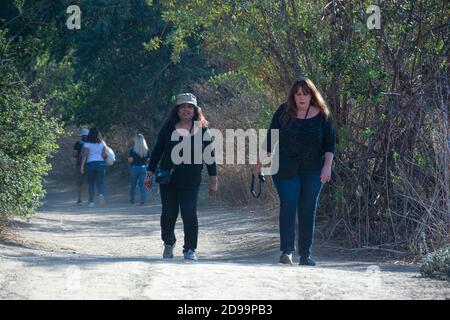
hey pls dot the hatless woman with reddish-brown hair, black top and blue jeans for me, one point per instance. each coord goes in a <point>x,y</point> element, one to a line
<point>306,151</point>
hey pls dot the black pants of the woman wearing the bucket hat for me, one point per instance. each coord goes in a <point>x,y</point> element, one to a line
<point>174,200</point>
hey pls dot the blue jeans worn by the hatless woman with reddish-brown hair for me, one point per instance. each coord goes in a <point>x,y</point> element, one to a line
<point>298,196</point>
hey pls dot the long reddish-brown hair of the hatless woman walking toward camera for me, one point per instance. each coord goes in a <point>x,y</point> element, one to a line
<point>308,87</point>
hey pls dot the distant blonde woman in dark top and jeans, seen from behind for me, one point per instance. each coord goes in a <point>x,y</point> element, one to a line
<point>137,158</point>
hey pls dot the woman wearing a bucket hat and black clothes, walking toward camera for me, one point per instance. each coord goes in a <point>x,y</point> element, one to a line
<point>182,191</point>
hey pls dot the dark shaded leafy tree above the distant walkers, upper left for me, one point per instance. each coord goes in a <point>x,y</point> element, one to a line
<point>105,73</point>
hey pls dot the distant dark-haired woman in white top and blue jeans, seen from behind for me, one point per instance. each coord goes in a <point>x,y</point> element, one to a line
<point>93,163</point>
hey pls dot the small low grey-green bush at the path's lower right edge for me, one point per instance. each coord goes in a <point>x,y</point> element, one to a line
<point>437,264</point>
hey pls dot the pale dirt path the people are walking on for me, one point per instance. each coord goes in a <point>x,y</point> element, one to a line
<point>73,252</point>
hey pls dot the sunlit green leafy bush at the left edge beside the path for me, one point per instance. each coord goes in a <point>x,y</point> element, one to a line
<point>27,140</point>
